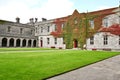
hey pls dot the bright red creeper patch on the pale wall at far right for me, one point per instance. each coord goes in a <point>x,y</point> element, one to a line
<point>114,29</point>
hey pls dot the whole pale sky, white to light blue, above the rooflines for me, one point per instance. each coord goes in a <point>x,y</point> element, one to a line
<point>49,9</point>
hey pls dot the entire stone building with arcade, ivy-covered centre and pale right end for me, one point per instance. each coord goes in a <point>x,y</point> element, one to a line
<point>91,30</point>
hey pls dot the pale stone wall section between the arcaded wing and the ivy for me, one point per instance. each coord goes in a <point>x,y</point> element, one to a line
<point>44,31</point>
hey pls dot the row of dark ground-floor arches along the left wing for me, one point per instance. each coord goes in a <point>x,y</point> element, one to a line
<point>17,42</point>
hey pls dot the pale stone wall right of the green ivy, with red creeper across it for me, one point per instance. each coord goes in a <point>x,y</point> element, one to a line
<point>108,36</point>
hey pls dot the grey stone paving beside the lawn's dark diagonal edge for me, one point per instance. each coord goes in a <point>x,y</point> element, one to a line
<point>108,69</point>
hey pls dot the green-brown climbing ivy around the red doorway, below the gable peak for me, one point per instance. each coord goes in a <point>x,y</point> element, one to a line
<point>79,31</point>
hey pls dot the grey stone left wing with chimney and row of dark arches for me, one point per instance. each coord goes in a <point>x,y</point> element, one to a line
<point>15,34</point>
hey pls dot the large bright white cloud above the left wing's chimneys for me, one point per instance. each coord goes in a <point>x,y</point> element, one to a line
<point>26,9</point>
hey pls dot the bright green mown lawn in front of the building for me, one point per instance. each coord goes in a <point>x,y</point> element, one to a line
<point>40,64</point>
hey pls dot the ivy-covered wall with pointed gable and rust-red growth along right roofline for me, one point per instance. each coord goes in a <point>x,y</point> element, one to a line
<point>77,27</point>
